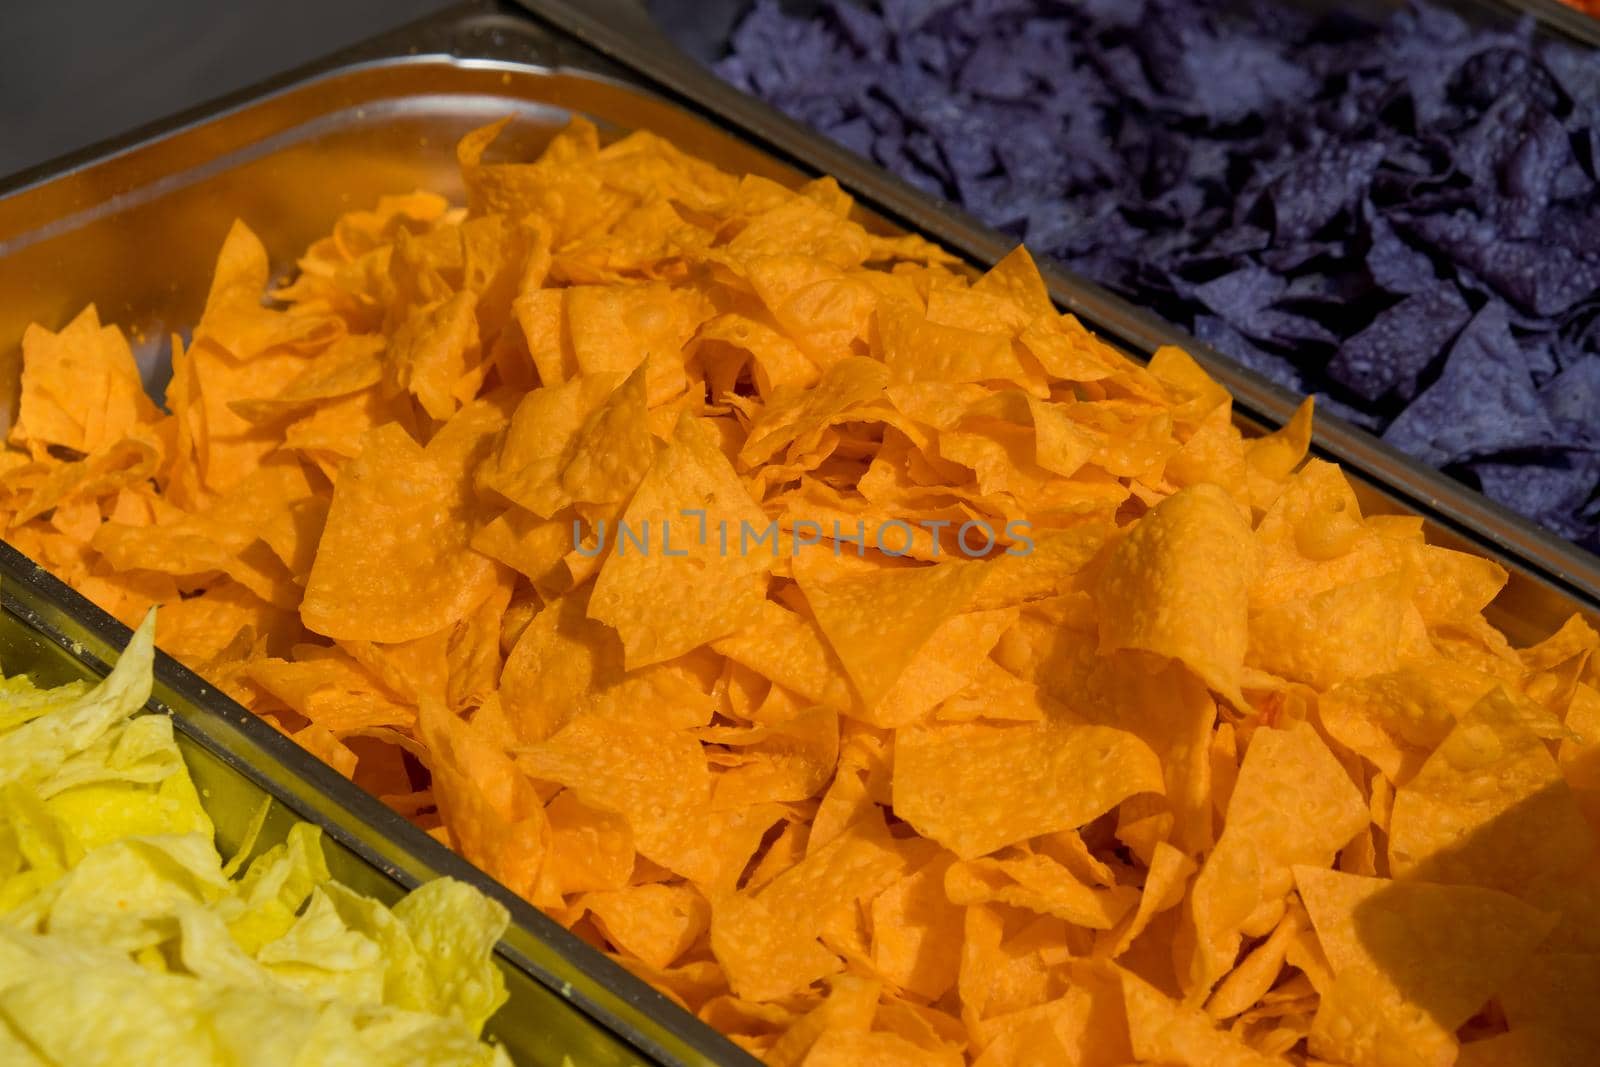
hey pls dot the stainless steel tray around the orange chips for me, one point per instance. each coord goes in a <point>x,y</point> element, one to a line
<point>135,226</point>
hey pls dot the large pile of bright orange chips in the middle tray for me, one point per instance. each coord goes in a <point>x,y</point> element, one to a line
<point>1132,741</point>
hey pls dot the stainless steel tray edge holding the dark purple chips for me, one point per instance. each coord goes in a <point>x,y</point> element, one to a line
<point>1550,575</point>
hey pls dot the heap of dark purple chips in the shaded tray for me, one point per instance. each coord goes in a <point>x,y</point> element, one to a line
<point>1401,217</point>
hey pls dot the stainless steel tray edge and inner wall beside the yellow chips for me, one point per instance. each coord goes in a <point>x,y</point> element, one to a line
<point>566,999</point>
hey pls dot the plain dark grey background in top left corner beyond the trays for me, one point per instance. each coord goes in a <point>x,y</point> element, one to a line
<point>79,71</point>
